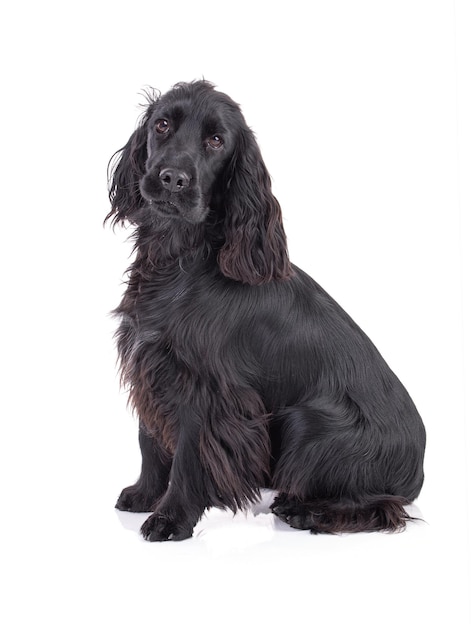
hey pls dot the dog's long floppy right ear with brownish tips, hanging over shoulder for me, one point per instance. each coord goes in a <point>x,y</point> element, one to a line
<point>255,247</point>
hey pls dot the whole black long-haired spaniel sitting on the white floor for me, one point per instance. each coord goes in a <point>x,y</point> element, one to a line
<point>244,373</point>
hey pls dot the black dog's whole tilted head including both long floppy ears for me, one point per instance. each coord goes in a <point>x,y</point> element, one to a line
<point>191,155</point>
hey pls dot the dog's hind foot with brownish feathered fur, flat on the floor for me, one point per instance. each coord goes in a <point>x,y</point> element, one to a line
<point>375,513</point>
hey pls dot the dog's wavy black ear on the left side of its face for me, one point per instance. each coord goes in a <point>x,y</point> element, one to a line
<point>126,168</point>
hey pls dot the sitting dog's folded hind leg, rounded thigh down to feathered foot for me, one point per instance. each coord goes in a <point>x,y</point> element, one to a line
<point>336,472</point>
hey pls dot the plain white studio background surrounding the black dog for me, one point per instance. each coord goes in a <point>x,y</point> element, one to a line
<point>362,110</point>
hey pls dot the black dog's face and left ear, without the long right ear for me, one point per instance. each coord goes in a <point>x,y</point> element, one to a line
<point>172,162</point>
